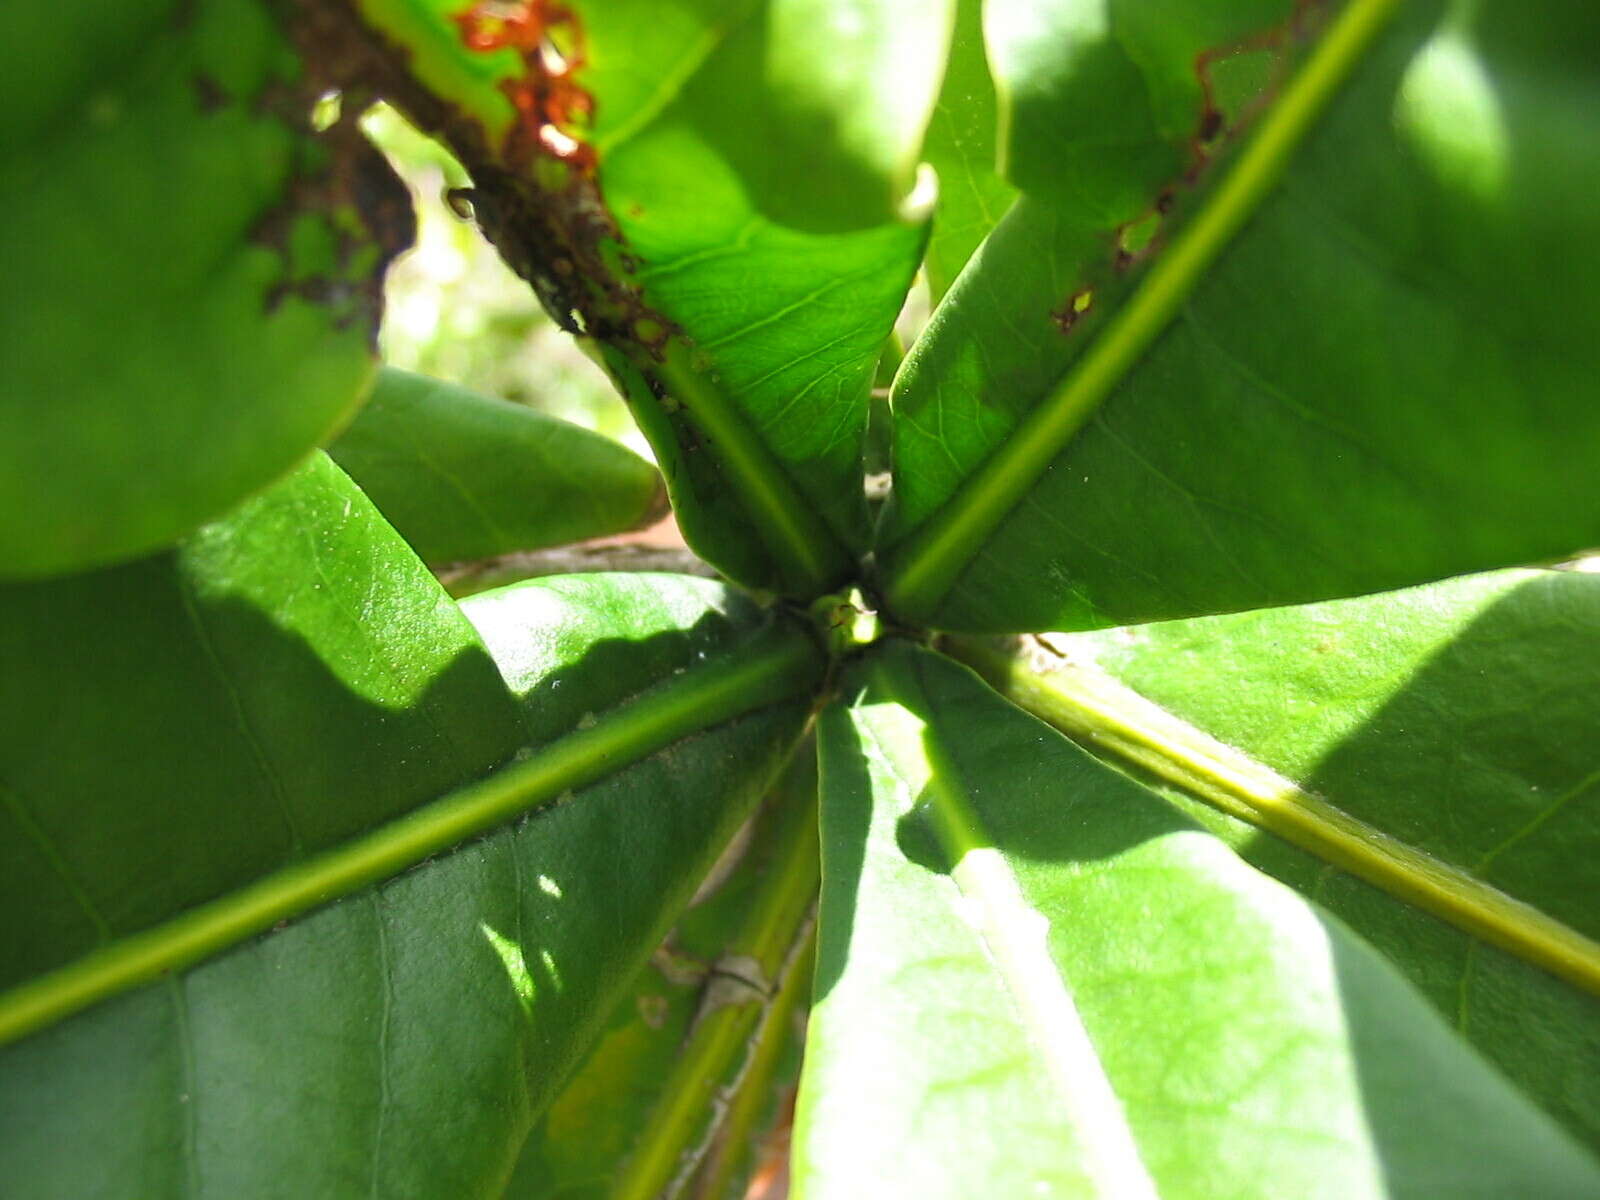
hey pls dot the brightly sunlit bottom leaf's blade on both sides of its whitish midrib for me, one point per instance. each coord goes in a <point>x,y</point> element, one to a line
<point>1132,921</point>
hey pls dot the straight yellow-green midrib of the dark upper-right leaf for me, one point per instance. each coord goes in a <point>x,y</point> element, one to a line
<point>922,569</point>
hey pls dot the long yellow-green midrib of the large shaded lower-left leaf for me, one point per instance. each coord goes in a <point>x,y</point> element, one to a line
<point>777,665</point>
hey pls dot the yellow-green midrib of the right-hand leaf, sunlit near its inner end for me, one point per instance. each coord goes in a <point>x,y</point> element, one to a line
<point>1089,705</point>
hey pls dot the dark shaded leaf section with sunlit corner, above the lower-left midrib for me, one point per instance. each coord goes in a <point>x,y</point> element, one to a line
<point>185,724</point>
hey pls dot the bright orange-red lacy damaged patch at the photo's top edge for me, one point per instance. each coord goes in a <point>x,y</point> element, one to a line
<point>548,98</point>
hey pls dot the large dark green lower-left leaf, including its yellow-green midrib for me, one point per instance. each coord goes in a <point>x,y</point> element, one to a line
<point>404,1039</point>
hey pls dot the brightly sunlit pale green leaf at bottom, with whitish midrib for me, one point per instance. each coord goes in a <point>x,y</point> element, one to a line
<point>1038,977</point>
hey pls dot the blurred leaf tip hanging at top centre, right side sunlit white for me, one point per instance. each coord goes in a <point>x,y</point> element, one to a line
<point>834,98</point>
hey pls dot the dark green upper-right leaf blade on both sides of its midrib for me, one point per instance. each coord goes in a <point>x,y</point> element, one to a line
<point>1212,465</point>
